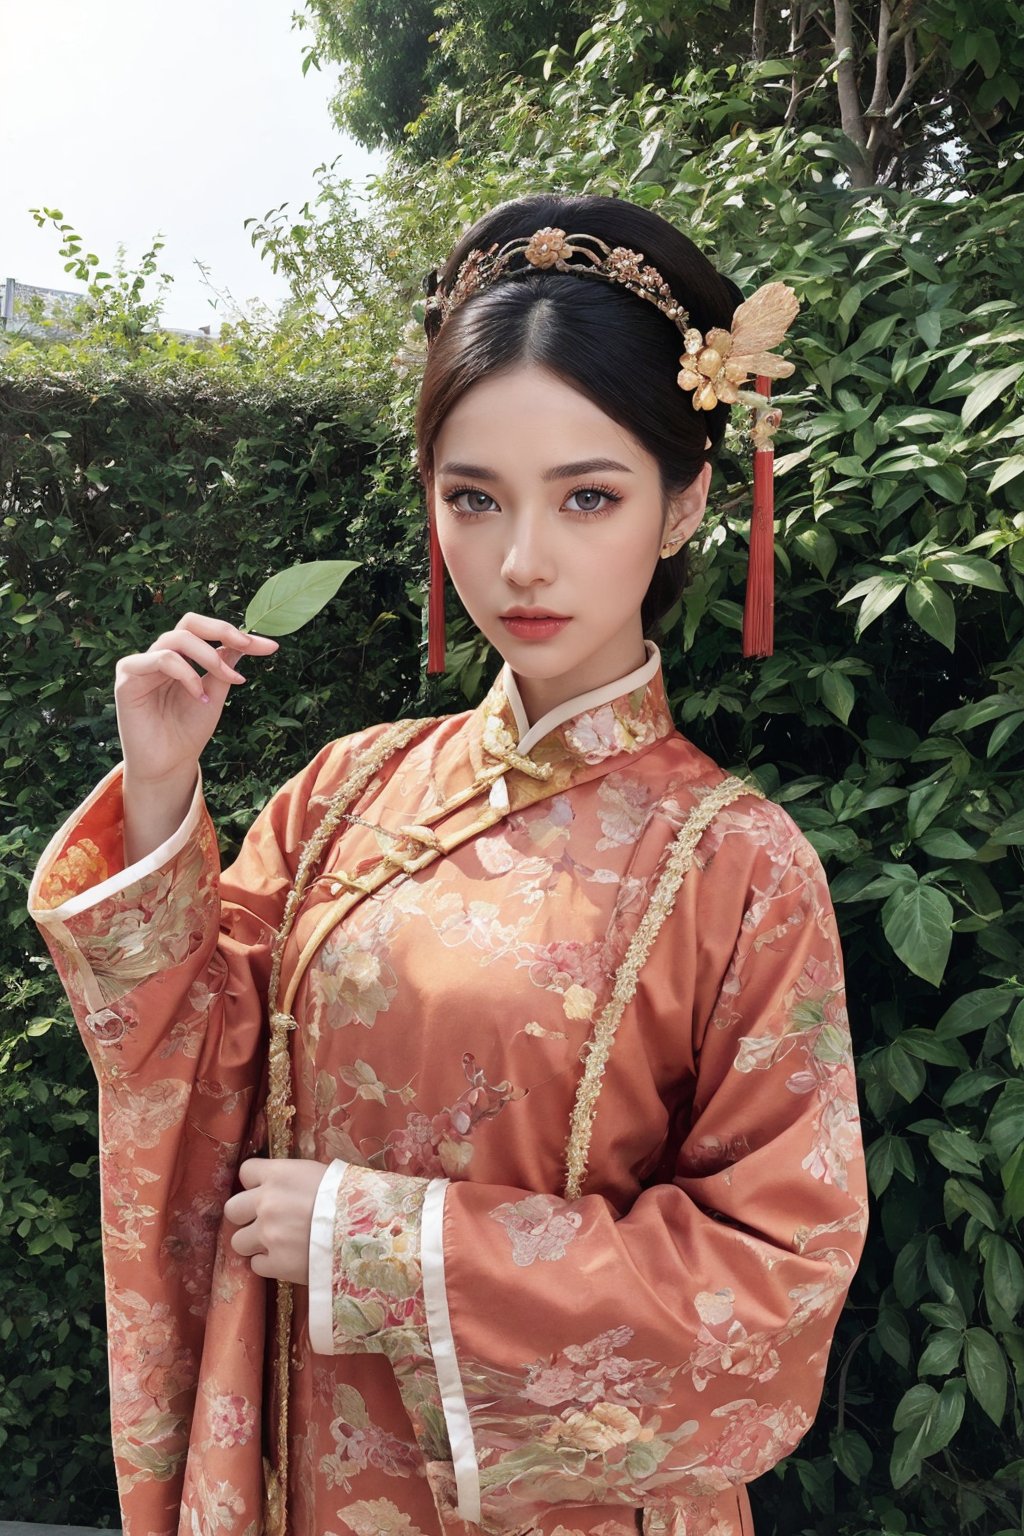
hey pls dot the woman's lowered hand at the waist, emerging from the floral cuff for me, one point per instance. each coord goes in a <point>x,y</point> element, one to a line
<point>274,1213</point>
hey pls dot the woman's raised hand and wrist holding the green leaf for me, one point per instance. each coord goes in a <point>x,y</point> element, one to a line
<point>170,701</point>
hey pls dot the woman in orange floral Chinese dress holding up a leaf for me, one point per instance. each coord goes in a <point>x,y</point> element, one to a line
<point>538,1013</point>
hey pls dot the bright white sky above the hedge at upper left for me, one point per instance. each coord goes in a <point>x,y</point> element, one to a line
<point>136,118</point>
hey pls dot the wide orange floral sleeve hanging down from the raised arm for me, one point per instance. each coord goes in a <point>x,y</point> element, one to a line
<point>167,965</point>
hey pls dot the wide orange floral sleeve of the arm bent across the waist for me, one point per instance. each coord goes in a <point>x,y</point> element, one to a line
<point>662,1356</point>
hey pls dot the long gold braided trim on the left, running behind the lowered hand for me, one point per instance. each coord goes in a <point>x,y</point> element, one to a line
<point>280,1107</point>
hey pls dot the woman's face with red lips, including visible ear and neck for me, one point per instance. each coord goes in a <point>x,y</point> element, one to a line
<point>549,508</point>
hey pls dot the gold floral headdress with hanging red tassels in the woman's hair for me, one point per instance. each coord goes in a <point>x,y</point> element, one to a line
<point>713,368</point>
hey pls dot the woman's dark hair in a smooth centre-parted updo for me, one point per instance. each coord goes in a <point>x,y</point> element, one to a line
<point>598,337</point>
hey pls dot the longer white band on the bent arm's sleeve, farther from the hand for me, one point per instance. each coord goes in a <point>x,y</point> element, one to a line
<point>467,1474</point>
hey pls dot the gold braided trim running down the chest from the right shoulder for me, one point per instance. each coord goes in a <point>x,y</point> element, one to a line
<point>600,1045</point>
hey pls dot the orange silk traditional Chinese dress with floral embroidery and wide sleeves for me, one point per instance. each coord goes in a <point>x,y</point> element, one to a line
<point>477,1346</point>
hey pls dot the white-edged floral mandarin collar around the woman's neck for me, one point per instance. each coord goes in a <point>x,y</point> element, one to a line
<point>619,718</point>
